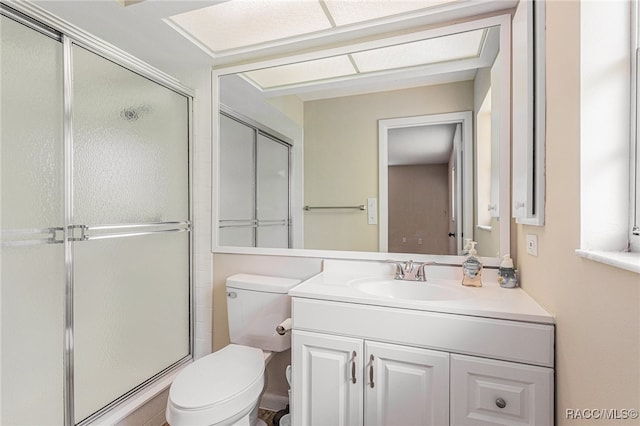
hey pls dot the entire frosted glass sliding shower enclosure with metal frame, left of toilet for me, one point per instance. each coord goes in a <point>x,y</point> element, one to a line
<point>96,234</point>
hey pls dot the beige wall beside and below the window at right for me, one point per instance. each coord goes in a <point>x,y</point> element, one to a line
<point>597,307</point>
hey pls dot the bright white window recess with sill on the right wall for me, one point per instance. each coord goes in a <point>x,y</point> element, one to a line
<point>609,84</point>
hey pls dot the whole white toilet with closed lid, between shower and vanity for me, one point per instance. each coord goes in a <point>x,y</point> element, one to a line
<point>224,388</point>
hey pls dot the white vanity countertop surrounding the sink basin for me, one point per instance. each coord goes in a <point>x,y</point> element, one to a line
<point>489,301</point>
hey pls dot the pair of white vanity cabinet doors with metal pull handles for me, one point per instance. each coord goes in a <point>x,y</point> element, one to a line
<point>346,381</point>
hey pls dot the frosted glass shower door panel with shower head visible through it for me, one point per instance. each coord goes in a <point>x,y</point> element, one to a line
<point>131,230</point>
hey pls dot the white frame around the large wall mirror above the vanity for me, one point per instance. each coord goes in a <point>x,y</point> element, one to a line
<point>501,20</point>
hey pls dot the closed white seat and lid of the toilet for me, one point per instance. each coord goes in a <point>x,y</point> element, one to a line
<point>218,386</point>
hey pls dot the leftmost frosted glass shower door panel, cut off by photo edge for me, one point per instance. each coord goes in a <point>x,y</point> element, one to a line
<point>31,200</point>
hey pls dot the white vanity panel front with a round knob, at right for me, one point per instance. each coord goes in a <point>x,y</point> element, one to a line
<point>489,392</point>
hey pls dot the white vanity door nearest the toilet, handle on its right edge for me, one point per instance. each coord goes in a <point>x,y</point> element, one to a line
<point>327,380</point>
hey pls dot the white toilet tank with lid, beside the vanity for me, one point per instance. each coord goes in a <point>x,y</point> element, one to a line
<point>256,305</point>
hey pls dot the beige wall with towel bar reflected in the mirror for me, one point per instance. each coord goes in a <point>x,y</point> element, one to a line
<point>341,157</point>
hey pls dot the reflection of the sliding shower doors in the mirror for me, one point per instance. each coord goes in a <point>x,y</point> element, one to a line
<point>254,186</point>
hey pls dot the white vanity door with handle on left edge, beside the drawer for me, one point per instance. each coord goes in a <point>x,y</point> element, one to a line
<point>405,386</point>
